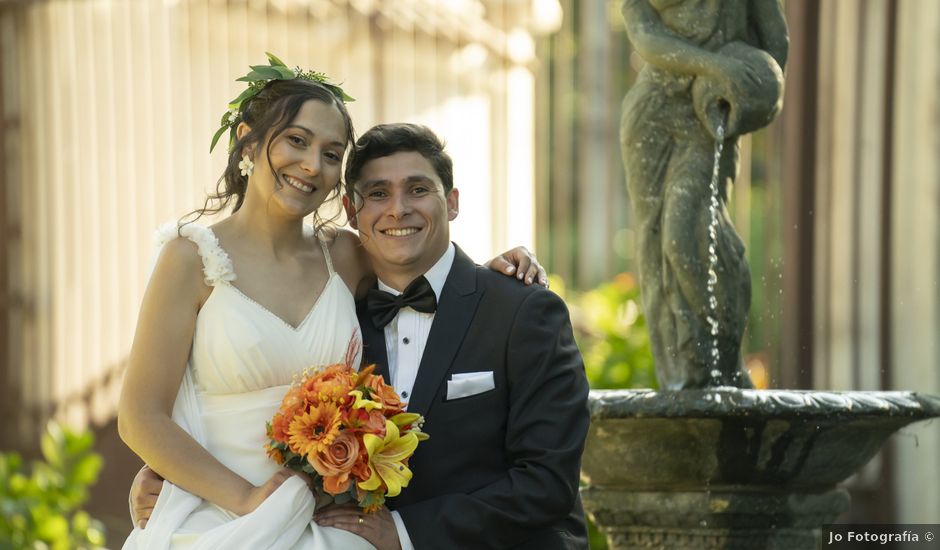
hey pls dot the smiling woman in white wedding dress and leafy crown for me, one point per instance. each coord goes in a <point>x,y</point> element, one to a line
<point>233,311</point>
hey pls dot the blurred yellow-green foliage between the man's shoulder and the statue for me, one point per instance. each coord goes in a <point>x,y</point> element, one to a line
<point>611,332</point>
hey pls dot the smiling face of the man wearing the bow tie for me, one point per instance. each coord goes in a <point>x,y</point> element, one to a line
<point>403,215</point>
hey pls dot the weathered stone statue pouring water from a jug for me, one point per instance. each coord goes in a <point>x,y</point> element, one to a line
<point>709,63</point>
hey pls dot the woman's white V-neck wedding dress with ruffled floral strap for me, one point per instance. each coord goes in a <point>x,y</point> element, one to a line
<point>242,361</point>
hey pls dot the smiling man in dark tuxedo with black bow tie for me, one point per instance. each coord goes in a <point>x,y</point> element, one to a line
<point>490,363</point>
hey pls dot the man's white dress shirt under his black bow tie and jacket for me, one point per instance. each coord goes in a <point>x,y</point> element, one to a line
<point>405,339</point>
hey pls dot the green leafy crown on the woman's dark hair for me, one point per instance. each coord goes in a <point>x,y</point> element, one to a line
<point>257,79</point>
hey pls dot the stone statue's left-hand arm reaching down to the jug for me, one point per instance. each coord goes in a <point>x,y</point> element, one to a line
<point>661,47</point>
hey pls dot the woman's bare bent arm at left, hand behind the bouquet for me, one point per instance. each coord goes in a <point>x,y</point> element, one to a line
<point>155,369</point>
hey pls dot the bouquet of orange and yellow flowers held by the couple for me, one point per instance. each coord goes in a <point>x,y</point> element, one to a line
<point>348,431</point>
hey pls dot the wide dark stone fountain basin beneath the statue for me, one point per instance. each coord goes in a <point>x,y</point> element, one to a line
<point>727,468</point>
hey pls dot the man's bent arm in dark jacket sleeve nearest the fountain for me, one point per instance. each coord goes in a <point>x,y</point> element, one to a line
<point>545,430</point>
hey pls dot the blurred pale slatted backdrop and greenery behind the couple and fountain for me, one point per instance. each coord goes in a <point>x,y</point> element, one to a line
<point>107,108</point>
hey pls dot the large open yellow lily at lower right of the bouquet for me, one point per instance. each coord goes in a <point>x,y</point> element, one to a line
<point>385,459</point>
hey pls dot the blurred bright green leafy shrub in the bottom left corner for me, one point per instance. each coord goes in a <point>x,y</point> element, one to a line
<point>41,508</point>
